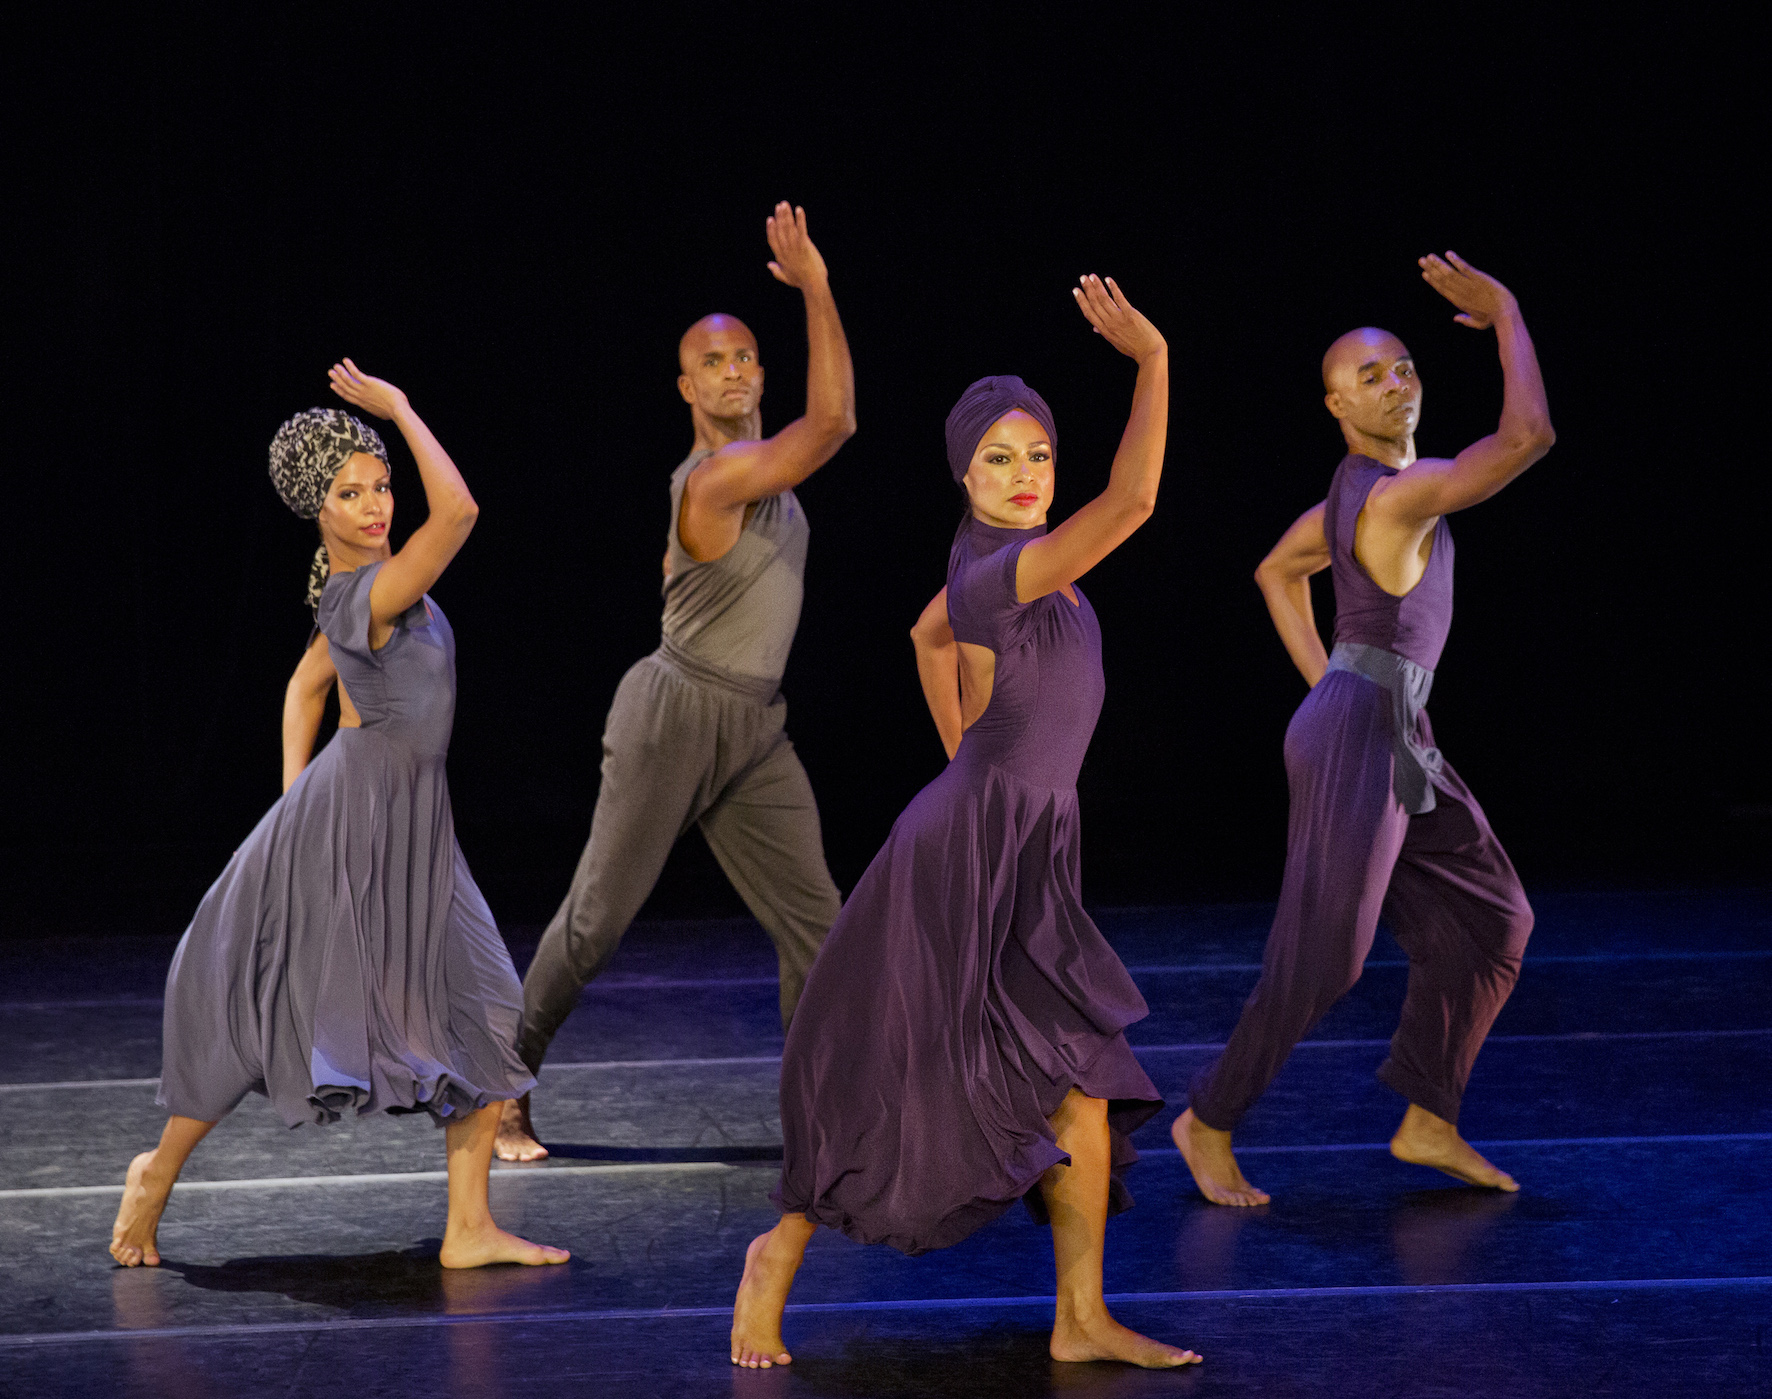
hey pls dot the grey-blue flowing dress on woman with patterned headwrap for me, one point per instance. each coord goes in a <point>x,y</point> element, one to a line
<point>346,959</point>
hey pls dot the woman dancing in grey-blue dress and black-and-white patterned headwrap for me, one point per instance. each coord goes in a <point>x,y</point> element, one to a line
<point>346,959</point>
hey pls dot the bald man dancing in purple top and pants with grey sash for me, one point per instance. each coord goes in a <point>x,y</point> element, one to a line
<point>1378,817</point>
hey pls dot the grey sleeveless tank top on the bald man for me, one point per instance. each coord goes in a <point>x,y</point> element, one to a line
<point>738,614</point>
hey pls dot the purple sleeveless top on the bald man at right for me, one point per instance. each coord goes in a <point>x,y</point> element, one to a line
<point>1411,626</point>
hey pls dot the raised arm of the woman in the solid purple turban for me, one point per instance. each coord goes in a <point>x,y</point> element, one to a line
<point>1110,520</point>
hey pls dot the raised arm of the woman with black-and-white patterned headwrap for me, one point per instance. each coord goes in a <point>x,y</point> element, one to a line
<point>451,511</point>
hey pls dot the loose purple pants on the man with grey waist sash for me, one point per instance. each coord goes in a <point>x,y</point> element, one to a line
<point>1442,879</point>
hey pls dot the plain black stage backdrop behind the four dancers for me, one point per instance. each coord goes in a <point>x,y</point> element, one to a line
<point>517,224</point>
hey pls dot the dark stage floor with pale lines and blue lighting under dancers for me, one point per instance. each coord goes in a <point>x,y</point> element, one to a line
<point>1629,1086</point>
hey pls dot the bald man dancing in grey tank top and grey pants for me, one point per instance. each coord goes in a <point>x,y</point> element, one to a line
<point>696,734</point>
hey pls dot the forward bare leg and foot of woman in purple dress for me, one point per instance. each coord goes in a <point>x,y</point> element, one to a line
<point>1076,1198</point>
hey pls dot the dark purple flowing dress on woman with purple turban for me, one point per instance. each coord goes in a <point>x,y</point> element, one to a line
<point>963,991</point>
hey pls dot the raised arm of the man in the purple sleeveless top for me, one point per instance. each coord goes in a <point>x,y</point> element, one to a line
<point>1525,435</point>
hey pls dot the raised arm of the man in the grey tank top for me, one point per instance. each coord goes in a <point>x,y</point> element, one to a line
<point>747,472</point>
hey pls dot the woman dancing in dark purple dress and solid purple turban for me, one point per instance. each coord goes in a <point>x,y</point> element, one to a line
<point>961,1037</point>
